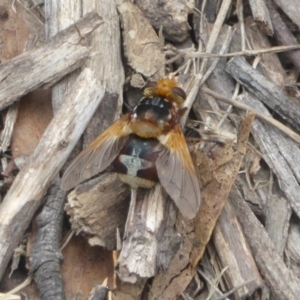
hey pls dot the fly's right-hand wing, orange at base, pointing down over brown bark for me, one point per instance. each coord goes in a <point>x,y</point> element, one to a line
<point>177,174</point>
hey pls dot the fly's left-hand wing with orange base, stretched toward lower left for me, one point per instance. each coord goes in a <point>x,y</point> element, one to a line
<point>98,155</point>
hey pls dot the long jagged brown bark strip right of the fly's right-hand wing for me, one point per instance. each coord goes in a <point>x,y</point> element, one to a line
<point>216,185</point>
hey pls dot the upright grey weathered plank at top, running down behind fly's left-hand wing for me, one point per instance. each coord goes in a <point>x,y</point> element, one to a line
<point>106,61</point>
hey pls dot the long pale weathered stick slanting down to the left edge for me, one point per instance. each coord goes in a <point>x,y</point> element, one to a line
<point>25,195</point>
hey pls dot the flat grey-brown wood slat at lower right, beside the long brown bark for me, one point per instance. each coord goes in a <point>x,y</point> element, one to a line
<point>234,253</point>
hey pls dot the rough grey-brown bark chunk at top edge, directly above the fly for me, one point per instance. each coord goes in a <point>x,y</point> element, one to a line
<point>171,15</point>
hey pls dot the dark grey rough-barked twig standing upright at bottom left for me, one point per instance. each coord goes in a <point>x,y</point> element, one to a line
<point>46,256</point>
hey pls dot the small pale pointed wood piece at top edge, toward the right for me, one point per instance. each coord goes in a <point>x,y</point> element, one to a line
<point>261,15</point>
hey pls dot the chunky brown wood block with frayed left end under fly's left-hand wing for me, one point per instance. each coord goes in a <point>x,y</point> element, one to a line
<point>98,208</point>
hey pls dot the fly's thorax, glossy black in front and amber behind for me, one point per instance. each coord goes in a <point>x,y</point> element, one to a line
<point>153,116</point>
